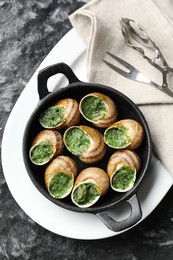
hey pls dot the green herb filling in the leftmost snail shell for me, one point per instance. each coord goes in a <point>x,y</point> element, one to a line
<point>41,152</point>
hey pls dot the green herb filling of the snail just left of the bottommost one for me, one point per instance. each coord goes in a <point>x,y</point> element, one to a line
<point>60,185</point>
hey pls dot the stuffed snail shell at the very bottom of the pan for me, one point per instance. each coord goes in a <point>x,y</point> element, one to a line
<point>90,185</point>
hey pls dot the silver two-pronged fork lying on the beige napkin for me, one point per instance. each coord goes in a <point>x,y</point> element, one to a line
<point>134,74</point>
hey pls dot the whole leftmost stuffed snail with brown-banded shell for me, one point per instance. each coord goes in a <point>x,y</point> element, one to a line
<point>45,146</point>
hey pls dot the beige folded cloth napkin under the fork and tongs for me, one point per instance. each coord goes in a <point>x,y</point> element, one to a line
<point>98,25</point>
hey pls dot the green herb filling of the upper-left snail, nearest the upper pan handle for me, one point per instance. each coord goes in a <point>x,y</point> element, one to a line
<point>52,117</point>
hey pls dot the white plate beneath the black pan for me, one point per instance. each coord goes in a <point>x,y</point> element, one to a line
<point>35,205</point>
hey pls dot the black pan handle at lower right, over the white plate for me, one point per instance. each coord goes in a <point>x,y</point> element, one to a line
<point>135,216</point>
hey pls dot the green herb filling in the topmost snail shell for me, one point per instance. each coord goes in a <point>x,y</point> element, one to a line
<point>93,108</point>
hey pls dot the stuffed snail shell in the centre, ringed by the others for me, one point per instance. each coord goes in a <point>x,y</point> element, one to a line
<point>85,142</point>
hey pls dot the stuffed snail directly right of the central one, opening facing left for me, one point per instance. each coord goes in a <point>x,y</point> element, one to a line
<point>126,133</point>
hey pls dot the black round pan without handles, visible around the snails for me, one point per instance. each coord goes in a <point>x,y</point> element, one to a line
<point>126,110</point>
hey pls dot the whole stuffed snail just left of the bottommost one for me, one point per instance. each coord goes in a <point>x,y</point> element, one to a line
<point>59,176</point>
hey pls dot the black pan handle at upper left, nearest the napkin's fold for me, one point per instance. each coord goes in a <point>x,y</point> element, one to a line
<point>52,70</point>
